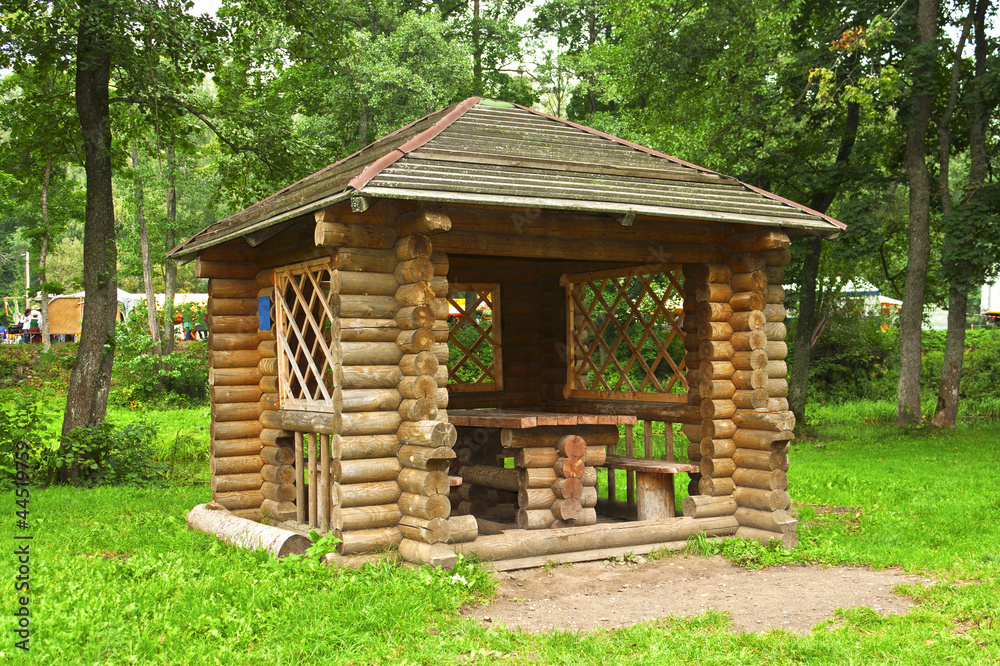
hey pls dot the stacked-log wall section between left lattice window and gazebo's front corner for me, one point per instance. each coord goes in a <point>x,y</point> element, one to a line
<point>365,488</point>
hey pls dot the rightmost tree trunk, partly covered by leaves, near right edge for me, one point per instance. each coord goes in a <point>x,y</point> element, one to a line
<point>954,348</point>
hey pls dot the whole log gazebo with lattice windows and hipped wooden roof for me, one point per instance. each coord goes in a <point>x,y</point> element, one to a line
<point>441,344</point>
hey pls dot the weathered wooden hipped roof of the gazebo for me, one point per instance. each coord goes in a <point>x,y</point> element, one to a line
<point>495,153</point>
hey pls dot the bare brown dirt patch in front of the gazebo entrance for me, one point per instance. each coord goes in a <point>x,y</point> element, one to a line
<point>601,595</point>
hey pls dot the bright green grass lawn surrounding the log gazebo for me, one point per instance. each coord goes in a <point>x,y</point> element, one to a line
<point>117,578</point>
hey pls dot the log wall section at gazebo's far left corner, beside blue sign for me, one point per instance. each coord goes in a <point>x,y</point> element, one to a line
<point>234,460</point>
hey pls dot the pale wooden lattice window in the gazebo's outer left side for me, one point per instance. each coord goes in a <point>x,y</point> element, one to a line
<point>306,330</point>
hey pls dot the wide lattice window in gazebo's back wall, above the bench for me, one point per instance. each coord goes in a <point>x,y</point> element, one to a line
<point>624,336</point>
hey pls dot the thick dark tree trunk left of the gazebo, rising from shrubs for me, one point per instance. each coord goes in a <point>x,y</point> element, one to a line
<point>90,380</point>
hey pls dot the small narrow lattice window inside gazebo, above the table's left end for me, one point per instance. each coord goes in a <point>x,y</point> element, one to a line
<point>474,355</point>
